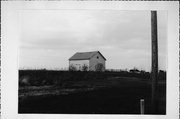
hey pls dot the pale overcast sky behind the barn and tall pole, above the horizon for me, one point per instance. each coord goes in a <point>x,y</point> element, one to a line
<point>48,38</point>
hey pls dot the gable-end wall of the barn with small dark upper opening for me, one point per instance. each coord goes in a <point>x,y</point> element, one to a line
<point>94,61</point>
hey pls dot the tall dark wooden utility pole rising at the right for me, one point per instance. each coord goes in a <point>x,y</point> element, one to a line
<point>154,72</point>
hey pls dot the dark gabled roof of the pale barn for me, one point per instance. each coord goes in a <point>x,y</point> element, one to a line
<point>85,55</point>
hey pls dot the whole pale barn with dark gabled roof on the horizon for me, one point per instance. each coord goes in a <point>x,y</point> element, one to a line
<point>87,61</point>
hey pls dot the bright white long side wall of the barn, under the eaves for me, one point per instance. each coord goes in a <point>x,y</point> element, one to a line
<point>79,63</point>
